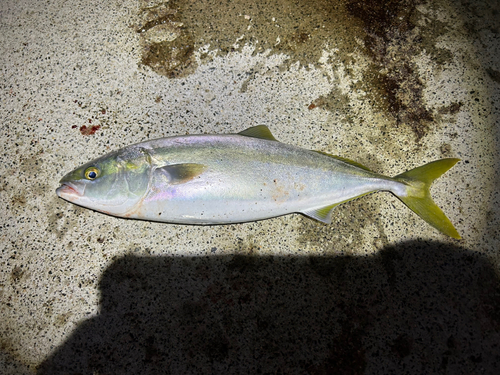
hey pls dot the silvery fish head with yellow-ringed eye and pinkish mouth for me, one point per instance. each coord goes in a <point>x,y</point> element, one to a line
<point>113,184</point>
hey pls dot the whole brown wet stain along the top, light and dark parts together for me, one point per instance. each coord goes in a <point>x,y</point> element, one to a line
<point>389,31</point>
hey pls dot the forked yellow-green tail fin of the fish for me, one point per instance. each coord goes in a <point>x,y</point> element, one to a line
<point>418,197</point>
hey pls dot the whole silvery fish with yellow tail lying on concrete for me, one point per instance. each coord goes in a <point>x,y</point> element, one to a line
<point>241,177</point>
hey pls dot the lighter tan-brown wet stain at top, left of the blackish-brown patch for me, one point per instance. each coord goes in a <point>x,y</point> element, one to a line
<point>172,30</point>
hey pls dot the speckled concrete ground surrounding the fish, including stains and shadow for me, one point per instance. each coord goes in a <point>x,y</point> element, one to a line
<point>392,84</point>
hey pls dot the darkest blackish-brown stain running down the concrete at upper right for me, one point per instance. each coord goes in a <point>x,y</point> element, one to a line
<point>392,41</point>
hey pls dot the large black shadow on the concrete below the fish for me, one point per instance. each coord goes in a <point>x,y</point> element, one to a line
<point>414,308</point>
